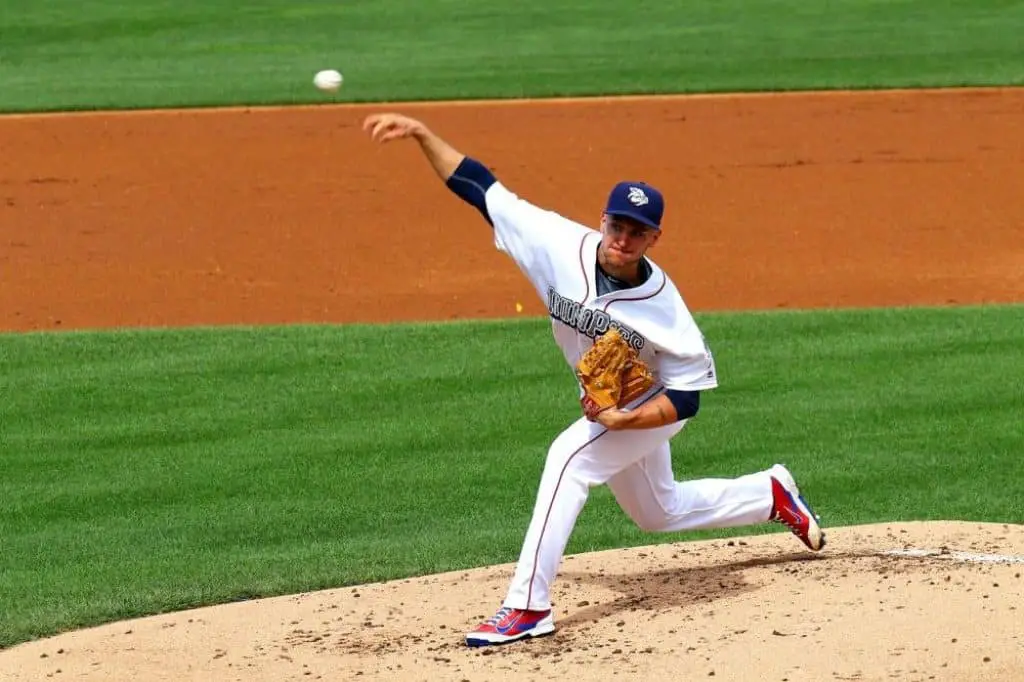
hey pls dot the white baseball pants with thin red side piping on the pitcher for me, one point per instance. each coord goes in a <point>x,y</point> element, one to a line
<point>637,466</point>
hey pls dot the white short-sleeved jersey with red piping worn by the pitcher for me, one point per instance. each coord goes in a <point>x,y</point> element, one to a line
<point>560,259</point>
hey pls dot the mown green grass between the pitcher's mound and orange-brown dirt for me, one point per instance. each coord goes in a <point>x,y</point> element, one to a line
<point>153,471</point>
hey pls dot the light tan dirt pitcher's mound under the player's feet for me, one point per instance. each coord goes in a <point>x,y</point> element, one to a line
<point>912,602</point>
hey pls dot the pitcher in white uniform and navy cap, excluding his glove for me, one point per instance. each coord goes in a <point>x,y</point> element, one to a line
<point>593,281</point>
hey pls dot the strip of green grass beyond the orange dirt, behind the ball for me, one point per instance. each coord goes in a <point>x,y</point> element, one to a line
<point>64,55</point>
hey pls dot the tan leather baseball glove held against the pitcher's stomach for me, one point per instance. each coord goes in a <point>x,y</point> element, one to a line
<point>612,375</point>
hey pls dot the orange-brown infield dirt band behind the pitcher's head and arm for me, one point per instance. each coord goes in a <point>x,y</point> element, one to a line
<point>292,216</point>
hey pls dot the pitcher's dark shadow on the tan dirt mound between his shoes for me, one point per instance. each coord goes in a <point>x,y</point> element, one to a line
<point>674,587</point>
